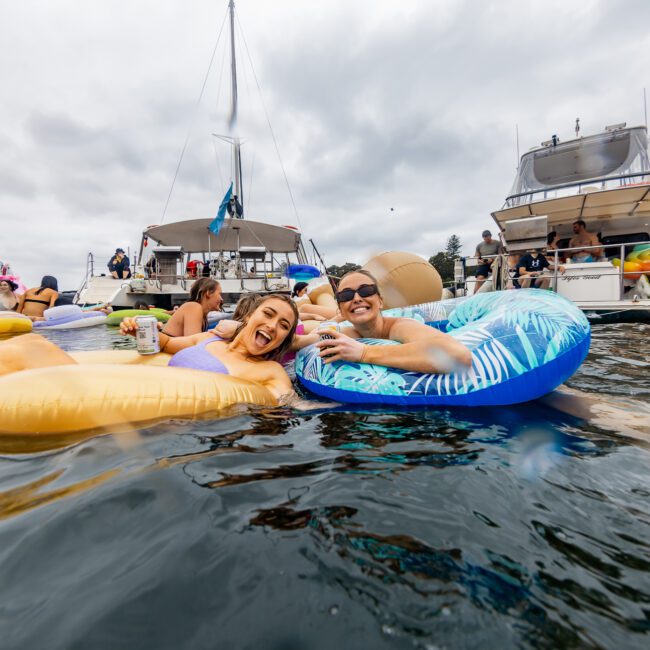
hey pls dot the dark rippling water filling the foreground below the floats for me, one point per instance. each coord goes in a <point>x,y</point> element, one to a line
<point>523,527</point>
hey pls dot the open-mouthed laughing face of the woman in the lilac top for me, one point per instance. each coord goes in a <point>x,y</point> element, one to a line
<point>268,327</point>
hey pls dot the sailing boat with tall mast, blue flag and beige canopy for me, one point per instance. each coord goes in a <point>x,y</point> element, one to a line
<point>243,255</point>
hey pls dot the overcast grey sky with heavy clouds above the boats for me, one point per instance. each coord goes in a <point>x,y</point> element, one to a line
<point>375,105</point>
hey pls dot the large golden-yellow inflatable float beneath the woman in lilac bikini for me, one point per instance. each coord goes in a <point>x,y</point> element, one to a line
<point>101,392</point>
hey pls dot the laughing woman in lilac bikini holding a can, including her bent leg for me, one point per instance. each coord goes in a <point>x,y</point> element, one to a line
<point>265,336</point>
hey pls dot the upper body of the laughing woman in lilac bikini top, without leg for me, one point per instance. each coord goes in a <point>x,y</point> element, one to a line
<point>264,336</point>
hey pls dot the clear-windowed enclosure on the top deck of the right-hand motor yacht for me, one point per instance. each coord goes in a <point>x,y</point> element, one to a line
<point>616,153</point>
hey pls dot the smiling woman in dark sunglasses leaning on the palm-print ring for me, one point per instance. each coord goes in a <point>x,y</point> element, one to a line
<point>422,349</point>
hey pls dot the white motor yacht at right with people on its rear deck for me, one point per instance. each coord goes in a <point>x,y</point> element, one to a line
<point>603,180</point>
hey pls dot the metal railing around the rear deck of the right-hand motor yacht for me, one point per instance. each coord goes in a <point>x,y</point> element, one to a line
<point>507,270</point>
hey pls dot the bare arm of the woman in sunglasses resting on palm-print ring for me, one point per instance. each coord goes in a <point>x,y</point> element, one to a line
<point>423,349</point>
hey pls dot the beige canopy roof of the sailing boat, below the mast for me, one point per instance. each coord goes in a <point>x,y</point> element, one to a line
<point>195,237</point>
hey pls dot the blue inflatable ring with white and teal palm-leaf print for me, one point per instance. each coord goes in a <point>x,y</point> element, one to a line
<point>524,344</point>
